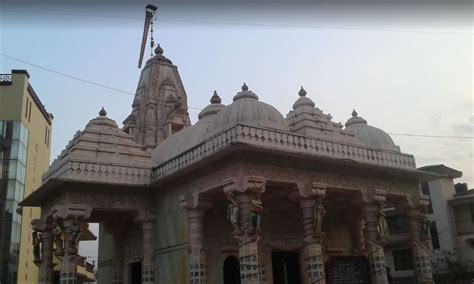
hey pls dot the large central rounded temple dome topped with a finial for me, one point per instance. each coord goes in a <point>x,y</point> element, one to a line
<point>247,109</point>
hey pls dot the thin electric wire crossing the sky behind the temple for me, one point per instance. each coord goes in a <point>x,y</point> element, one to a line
<point>191,107</point>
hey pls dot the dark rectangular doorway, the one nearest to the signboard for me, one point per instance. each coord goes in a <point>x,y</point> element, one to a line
<point>286,267</point>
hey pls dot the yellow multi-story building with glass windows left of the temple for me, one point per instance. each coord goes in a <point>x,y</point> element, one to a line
<point>25,147</point>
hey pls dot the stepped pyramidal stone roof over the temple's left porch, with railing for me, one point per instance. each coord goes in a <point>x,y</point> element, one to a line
<point>100,152</point>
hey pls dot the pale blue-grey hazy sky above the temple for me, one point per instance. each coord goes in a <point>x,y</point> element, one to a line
<point>406,67</point>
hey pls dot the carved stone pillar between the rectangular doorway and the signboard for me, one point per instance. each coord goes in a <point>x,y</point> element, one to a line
<point>309,198</point>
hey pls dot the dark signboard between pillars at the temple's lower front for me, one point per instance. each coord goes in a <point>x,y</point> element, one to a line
<point>348,270</point>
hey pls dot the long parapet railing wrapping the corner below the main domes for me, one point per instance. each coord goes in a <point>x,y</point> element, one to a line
<point>283,141</point>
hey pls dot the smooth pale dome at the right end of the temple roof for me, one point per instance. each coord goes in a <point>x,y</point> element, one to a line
<point>372,136</point>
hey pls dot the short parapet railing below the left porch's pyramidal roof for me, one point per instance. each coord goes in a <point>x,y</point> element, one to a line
<point>101,172</point>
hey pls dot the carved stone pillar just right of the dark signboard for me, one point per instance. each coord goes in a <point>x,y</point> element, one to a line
<point>371,211</point>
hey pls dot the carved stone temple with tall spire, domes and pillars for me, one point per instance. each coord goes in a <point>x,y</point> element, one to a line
<point>245,195</point>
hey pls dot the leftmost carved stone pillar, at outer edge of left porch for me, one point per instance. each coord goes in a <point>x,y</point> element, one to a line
<point>46,262</point>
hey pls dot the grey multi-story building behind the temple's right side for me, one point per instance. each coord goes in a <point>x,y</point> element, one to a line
<point>451,230</point>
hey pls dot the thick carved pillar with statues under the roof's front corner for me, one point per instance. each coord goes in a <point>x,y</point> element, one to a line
<point>247,192</point>
